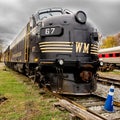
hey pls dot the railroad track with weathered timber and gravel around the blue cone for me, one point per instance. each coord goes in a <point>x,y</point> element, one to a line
<point>89,107</point>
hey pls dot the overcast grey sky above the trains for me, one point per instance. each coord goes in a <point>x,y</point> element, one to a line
<point>14,14</point>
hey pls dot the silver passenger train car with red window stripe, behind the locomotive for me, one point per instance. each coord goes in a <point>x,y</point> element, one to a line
<point>109,58</point>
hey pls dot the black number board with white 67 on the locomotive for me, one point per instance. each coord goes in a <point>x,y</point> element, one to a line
<point>51,31</point>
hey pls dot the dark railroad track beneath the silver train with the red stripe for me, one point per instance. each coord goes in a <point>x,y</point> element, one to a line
<point>107,80</point>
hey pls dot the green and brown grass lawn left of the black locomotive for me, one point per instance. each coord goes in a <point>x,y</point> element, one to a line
<point>24,101</point>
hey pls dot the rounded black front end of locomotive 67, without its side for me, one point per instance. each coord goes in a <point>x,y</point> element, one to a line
<point>68,54</point>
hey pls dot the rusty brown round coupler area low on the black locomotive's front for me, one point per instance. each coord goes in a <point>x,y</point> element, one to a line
<point>86,75</point>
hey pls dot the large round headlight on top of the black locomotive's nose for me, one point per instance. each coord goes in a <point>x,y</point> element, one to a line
<point>81,17</point>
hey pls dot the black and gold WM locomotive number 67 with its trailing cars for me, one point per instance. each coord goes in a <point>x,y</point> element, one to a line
<point>58,48</point>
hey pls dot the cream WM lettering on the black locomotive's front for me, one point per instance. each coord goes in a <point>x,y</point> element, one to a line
<point>82,47</point>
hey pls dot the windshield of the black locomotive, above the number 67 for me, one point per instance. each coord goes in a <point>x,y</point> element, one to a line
<point>49,14</point>
